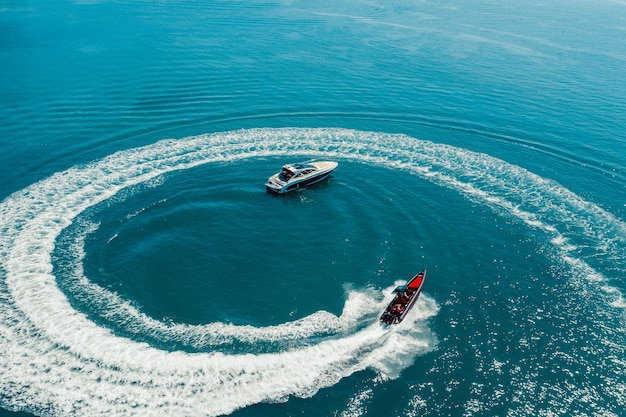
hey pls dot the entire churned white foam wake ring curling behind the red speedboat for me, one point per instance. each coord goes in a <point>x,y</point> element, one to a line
<point>56,361</point>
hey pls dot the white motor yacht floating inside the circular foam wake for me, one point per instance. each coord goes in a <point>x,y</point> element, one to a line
<point>299,175</point>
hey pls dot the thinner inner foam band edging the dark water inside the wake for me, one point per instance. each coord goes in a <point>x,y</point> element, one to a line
<point>114,308</point>
